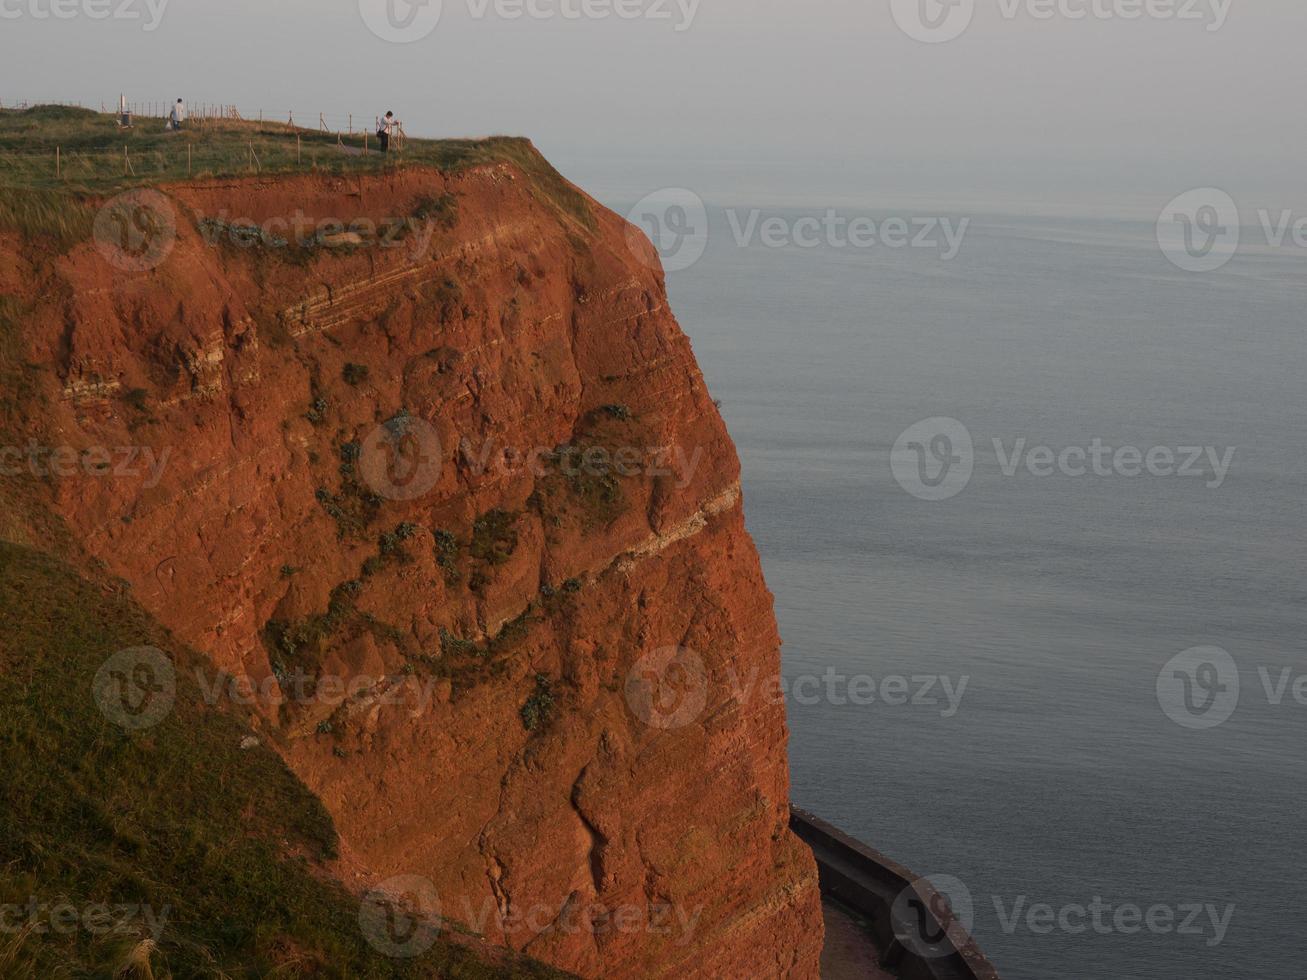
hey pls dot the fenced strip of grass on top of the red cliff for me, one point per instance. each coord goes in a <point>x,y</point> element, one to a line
<point>95,155</point>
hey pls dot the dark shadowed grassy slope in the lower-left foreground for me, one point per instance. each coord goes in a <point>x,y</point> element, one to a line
<point>223,842</point>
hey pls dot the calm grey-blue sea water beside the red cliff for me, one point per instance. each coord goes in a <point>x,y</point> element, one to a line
<point>1059,781</point>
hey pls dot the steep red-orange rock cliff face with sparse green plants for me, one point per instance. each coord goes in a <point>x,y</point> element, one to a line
<point>461,512</point>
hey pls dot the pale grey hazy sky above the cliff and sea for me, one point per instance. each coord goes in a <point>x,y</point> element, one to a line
<point>785,95</point>
